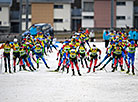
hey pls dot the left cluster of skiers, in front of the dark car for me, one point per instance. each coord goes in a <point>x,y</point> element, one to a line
<point>25,50</point>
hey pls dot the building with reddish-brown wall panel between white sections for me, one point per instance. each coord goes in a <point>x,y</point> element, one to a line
<point>97,13</point>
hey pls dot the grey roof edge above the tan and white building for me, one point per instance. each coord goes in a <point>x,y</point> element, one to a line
<point>49,1</point>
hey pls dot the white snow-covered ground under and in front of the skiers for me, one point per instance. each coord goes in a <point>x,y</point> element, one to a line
<point>44,86</point>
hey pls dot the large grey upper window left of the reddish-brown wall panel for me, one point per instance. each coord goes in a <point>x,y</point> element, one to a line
<point>88,6</point>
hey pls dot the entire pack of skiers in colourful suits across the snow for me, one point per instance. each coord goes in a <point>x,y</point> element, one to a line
<point>72,52</point>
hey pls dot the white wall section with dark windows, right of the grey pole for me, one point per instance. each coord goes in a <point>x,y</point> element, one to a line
<point>124,13</point>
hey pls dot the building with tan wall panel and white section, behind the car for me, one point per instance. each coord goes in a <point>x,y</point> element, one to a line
<point>55,12</point>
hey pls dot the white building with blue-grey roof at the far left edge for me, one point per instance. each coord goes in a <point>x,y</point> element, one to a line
<point>5,15</point>
